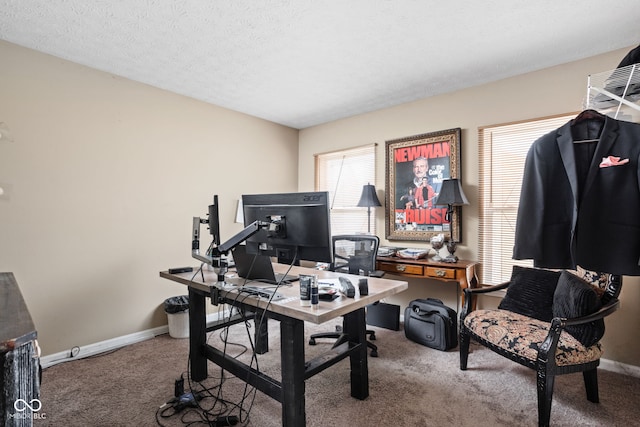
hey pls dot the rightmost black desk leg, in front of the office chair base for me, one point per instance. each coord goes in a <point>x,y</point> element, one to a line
<point>355,327</point>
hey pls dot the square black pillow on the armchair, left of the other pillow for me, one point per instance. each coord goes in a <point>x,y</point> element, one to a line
<point>531,292</point>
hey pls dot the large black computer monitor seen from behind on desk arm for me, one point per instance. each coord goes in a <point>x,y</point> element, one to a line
<point>299,226</point>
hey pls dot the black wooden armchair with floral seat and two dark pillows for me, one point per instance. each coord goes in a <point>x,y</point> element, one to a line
<point>548,321</point>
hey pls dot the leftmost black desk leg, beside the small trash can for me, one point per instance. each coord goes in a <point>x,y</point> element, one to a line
<point>197,335</point>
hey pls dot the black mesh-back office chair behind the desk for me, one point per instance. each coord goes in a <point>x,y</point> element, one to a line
<point>353,254</point>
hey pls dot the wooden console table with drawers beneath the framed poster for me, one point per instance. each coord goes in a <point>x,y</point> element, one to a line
<point>463,272</point>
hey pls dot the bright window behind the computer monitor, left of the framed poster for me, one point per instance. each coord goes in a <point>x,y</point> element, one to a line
<point>343,174</point>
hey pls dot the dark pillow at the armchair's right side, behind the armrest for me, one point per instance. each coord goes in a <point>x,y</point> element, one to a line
<point>575,298</point>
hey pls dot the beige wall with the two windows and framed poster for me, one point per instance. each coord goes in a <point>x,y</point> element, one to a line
<point>547,92</point>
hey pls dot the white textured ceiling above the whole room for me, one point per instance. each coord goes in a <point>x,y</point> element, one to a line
<point>302,63</point>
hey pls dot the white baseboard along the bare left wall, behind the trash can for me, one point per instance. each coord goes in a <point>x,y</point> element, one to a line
<point>111,344</point>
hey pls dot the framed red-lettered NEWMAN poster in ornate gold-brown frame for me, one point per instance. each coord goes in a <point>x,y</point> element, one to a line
<point>416,166</point>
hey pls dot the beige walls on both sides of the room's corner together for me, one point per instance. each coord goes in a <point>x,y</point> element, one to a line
<point>105,174</point>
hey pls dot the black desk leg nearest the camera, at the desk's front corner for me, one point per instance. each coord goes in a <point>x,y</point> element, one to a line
<point>292,360</point>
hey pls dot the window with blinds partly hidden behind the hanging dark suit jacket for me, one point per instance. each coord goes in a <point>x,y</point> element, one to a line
<point>503,150</point>
